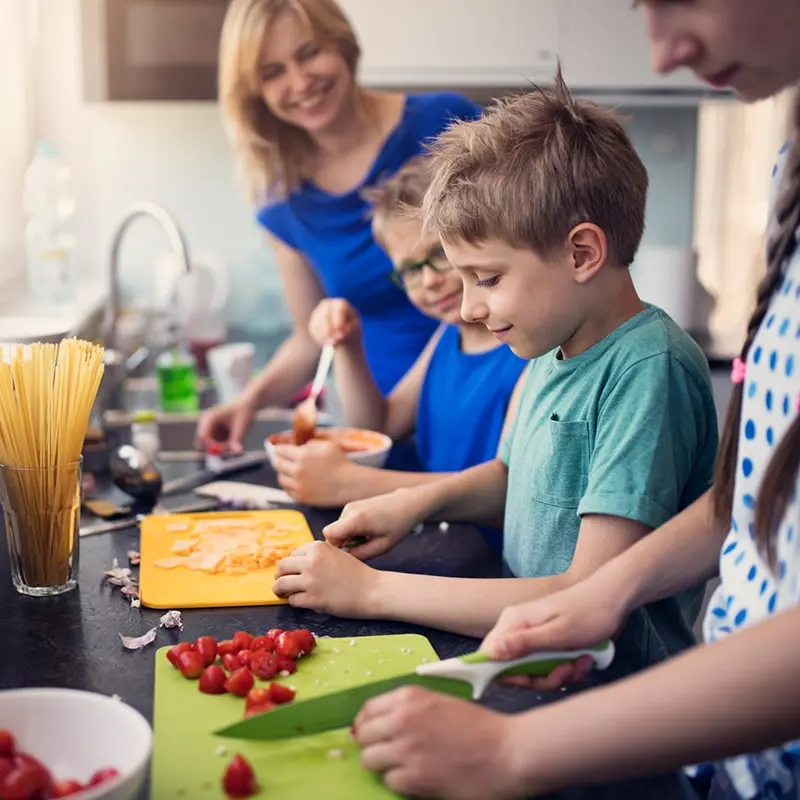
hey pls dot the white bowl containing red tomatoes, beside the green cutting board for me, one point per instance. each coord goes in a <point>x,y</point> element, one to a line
<point>76,733</point>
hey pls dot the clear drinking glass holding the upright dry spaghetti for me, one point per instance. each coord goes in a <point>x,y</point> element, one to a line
<point>42,511</point>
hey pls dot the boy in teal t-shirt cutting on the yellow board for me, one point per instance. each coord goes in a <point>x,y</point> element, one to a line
<point>540,206</point>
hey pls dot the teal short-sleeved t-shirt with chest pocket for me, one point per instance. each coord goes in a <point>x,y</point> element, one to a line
<point>627,428</point>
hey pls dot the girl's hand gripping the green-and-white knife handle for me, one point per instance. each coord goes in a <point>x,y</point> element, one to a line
<point>577,617</point>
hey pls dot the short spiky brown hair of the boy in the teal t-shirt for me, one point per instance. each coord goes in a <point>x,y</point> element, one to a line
<point>531,169</point>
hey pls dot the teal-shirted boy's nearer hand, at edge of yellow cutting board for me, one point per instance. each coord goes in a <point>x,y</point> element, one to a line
<point>322,578</point>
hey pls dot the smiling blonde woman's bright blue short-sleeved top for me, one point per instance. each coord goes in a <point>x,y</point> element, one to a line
<point>333,232</point>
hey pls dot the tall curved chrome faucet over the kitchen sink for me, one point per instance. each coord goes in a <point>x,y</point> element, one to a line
<point>120,365</point>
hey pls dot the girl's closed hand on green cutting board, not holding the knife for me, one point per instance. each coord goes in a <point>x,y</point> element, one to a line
<point>426,744</point>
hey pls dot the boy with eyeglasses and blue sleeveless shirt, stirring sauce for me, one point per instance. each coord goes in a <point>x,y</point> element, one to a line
<point>456,396</point>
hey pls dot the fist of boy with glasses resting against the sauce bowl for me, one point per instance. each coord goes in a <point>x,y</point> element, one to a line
<point>315,474</point>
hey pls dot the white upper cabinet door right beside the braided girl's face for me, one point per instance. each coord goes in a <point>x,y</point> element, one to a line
<point>604,46</point>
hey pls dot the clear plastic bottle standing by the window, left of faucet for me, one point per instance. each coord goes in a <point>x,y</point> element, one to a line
<point>49,240</point>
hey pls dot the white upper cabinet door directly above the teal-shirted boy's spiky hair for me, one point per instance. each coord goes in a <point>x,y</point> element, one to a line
<point>456,42</point>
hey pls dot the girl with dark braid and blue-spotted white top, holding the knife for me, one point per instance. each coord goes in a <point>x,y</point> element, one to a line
<point>730,708</point>
